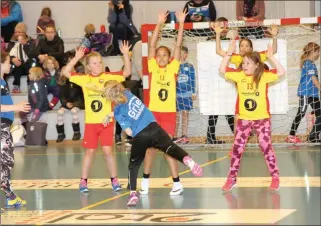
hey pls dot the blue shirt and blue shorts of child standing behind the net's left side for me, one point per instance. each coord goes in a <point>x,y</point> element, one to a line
<point>185,87</point>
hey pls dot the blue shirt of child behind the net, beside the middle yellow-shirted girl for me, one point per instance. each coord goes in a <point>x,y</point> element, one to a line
<point>185,81</point>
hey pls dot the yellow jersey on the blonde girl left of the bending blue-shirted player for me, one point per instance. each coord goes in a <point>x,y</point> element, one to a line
<point>96,107</point>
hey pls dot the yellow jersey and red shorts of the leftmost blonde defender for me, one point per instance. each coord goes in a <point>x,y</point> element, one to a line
<point>96,109</point>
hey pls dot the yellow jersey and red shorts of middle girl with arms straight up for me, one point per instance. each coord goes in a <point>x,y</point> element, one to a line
<point>163,93</point>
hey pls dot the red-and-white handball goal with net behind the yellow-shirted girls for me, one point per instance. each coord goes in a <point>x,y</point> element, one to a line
<point>212,117</point>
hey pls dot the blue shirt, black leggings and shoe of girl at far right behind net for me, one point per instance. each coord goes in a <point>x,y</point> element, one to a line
<point>309,95</point>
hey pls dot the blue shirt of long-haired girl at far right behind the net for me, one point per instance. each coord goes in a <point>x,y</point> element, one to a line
<point>306,87</point>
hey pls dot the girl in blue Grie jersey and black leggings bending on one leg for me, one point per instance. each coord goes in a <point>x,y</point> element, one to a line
<point>139,122</point>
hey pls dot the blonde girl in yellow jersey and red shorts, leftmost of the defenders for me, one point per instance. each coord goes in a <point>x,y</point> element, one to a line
<point>96,108</point>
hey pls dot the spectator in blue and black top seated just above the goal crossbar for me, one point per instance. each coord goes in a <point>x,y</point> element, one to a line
<point>200,11</point>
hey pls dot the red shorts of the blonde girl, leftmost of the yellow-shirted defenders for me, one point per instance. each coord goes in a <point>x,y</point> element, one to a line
<point>96,132</point>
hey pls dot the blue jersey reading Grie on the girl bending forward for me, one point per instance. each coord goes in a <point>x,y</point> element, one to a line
<point>133,114</point>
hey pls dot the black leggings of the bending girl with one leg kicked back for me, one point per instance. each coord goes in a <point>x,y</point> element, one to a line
<point>152,136</point>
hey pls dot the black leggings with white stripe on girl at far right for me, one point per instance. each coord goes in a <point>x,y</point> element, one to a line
<point>304,102</point>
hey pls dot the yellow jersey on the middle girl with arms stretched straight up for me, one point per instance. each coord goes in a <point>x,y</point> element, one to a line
<point>162,85</point>
